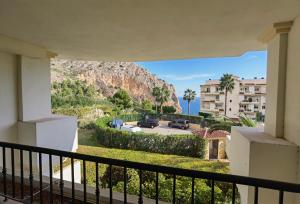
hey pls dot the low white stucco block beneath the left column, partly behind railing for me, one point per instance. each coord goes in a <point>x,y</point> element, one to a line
<point>56,132</point>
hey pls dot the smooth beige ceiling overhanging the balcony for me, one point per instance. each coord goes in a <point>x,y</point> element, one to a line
<point>137,30</point>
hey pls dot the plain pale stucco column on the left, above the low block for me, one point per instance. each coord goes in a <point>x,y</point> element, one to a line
<point>34,88</point>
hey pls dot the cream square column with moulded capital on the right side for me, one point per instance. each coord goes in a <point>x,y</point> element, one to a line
<point>276,80</point>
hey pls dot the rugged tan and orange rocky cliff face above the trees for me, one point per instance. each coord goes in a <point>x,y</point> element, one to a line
<point>108,77</point>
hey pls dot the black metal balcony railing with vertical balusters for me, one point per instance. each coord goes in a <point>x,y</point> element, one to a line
<point>233,180</point>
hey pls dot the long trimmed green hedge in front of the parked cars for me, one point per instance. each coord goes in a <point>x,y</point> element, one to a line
<point>184,145</point>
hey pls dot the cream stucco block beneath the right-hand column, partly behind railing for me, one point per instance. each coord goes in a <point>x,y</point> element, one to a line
<point>253,153</point>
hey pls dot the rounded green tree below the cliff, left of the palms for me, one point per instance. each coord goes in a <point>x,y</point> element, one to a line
<point>121,100</point>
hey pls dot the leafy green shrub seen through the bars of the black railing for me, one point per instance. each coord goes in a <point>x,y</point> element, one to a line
<point>165,185</point>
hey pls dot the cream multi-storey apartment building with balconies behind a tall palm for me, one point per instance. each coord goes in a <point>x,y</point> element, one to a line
<point>248,97</point>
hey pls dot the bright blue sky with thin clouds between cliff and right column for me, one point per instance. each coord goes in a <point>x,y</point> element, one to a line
<point>191,73</point>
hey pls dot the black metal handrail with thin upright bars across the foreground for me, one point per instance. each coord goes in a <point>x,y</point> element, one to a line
<point>194,174</point>
